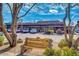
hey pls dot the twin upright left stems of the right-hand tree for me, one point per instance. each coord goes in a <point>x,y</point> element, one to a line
<point>67,38</point>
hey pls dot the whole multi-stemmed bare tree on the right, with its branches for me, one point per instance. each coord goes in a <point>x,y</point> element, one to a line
<point>69,37</point>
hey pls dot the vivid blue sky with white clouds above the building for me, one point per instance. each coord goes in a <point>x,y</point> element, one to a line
<point>42,12</point>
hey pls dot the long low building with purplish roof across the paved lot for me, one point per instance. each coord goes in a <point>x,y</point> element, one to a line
<point>40,26</point>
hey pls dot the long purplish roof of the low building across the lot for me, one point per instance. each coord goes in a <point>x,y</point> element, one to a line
<point>43,23</point>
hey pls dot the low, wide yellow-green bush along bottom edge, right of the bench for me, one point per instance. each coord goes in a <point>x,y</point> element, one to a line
<point>61,52</point>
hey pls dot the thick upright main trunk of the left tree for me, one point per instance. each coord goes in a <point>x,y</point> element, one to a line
<point>14,24</point>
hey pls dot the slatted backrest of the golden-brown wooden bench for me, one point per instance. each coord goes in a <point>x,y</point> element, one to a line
<point>38,42</point>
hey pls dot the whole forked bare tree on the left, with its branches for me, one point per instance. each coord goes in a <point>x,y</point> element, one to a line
<point>12,38</point>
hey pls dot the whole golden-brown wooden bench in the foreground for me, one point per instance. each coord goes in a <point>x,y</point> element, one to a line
<point>31,43</point>
